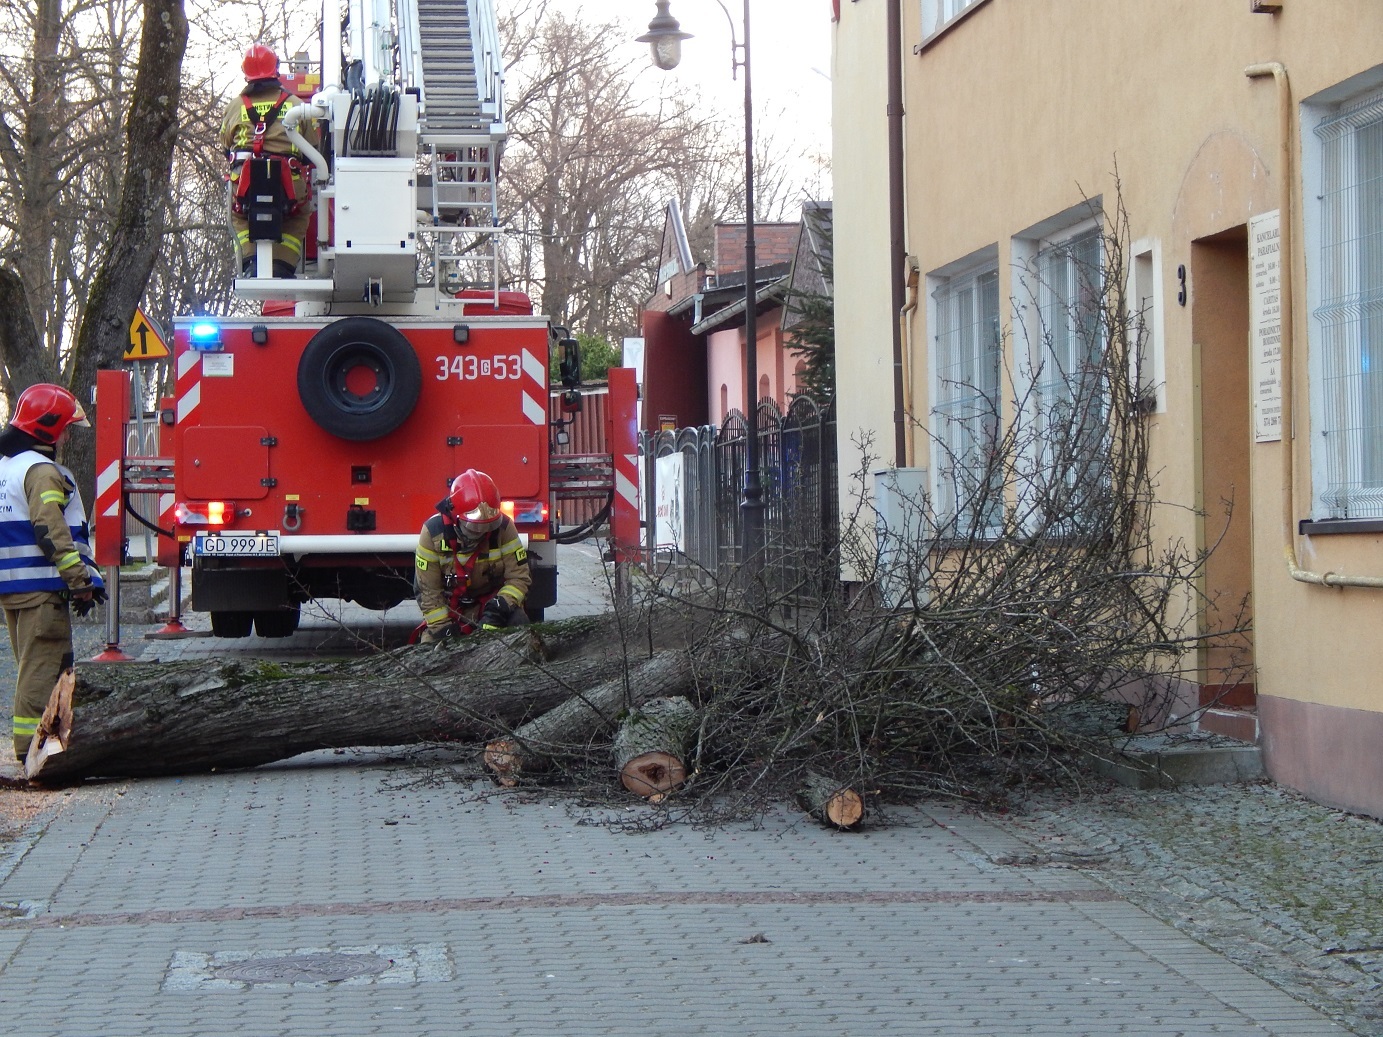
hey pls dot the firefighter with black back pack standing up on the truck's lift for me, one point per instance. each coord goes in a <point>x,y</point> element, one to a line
<point>254,125</point>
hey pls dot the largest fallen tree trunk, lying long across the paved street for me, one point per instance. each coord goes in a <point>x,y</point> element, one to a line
<point>135,720</point>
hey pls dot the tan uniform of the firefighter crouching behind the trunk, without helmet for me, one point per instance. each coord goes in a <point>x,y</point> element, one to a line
<point>497,566</point>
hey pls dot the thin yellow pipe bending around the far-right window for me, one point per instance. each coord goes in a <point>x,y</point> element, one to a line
<point>1285,283</point>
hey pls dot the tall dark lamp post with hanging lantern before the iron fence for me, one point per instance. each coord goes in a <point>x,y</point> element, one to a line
<point>666,38</point>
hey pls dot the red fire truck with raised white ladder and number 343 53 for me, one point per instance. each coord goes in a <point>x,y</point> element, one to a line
<point>305,445</point>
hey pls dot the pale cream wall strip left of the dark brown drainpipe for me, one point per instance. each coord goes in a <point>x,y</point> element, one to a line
<point>864,298</point>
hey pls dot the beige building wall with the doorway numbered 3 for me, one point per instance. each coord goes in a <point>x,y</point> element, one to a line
<point>1023,113</point>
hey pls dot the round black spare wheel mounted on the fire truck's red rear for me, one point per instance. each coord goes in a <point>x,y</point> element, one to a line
<point>359,378</point>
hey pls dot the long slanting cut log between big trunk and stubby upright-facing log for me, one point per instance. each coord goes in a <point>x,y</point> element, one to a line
<point>570,728</point>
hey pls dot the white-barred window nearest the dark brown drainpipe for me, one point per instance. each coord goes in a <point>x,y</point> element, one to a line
<point>966,415</point>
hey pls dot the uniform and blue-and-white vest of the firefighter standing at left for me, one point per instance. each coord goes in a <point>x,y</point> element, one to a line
<point>45,559</point>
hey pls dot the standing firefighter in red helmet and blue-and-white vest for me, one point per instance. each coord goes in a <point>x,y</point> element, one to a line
<point>44,543</point>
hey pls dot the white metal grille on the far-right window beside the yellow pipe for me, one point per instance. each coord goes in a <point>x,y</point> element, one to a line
<point>1350,315</point>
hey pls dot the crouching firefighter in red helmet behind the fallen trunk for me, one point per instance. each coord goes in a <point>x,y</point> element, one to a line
<point>471,569</point>
